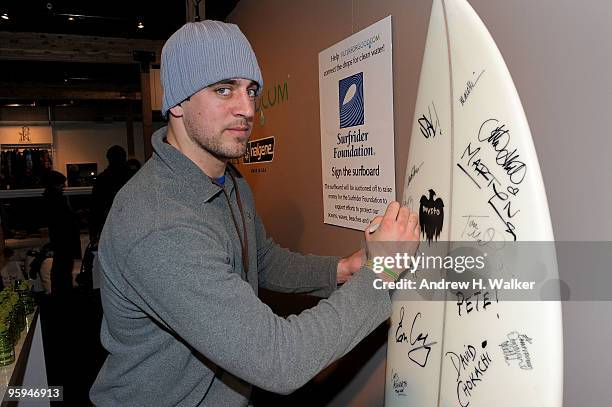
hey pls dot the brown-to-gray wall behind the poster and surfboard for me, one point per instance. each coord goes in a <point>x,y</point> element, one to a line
<point>558,52</point>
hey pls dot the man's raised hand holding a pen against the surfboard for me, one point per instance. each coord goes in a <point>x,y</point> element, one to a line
<point>397,231</point>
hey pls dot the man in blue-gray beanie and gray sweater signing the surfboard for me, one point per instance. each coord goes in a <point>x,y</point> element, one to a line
<point>183,253</point>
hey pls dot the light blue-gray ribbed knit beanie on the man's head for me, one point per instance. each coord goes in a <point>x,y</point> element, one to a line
<point>200,54</point>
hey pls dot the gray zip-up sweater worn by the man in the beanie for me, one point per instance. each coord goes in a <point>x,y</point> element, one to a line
<point>182,322</point>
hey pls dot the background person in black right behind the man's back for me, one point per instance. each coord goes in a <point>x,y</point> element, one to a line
<point>106,186</point>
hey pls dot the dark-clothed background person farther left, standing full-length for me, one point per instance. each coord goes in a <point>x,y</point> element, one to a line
<point>64,233</point>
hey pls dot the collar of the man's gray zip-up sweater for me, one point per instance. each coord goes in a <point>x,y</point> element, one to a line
<point>187,171</point>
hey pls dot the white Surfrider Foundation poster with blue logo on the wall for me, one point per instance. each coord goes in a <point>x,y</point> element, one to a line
<point>357,149</point>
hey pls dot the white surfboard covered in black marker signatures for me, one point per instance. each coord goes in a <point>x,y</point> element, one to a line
<point>473,174</point>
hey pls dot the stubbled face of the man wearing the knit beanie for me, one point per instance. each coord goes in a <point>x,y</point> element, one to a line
<point>219,118</point>
